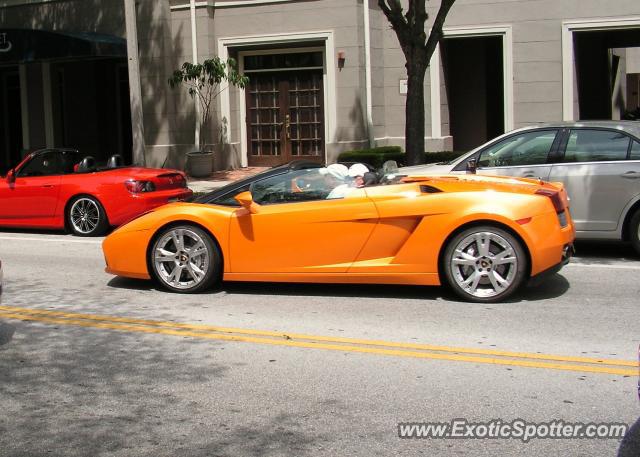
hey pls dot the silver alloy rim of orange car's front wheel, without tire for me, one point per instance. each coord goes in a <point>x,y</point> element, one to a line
<point>181,258</point>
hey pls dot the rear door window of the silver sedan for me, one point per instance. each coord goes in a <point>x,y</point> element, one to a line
<point>596,146</point>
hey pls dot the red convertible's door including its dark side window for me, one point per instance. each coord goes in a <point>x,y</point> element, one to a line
<point>34,192</point>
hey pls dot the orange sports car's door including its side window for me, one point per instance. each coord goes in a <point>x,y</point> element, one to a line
<point>298,230</point>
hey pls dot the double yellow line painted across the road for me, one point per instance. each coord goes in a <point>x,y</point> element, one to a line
<point>411,350</point>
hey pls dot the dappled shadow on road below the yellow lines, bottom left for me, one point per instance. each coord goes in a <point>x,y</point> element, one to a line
<point>85,392</point>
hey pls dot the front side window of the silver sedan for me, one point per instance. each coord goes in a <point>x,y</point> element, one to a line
<point>531,148</point>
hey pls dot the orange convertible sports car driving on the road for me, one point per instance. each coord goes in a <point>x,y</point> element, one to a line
<point>483,236</point>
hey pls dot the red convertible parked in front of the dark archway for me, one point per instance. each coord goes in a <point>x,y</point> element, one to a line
<point>62,188</point>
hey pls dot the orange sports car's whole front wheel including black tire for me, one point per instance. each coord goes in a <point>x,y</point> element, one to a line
<point>191,268</point>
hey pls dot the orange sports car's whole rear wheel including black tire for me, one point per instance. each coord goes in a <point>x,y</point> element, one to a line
<point>484,277</point>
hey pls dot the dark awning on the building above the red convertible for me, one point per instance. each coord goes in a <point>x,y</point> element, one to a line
<point>23,45</point>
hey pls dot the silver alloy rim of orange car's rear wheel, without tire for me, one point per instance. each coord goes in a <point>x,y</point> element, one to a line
<point>484,264</point>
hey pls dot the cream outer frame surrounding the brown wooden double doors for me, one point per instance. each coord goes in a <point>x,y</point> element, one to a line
<point>225,45</point>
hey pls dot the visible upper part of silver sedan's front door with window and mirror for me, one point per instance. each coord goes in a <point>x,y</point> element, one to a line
<point>524,154</point>
